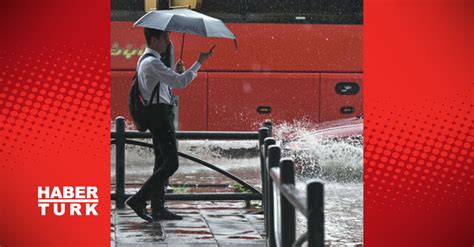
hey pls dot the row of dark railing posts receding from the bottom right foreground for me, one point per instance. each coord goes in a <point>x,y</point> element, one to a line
<point>281,198</point>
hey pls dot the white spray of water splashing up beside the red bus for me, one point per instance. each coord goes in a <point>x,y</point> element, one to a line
<point>331,159</point>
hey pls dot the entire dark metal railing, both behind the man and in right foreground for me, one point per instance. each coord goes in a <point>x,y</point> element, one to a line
<point>280,197</point>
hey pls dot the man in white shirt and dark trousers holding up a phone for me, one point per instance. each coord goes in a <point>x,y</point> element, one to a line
<point>155,83</point>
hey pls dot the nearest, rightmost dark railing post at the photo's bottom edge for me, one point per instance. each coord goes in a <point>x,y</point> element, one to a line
<point>315,195</point>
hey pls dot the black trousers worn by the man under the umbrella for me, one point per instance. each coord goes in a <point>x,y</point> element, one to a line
<point>161,125</point>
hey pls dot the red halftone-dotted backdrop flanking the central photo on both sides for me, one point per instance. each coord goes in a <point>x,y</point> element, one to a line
<point>418,87</point>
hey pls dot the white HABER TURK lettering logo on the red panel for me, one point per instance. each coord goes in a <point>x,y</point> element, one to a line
<point>68,200</point>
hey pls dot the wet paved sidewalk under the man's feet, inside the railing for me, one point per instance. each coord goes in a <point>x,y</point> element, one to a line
<point>204,224</point>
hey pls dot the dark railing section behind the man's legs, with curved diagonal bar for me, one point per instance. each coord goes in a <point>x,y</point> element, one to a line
<point>121,137</point>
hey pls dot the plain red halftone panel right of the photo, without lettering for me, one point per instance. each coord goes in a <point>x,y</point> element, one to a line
<point>418,102</point>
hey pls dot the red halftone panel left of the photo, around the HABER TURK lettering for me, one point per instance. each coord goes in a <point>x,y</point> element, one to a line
<point>54,117</point>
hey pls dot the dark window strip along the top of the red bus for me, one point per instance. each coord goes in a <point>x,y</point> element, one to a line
<point>259,11</point>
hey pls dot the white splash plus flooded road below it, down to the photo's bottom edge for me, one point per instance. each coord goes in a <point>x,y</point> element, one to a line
<point>338,162</point>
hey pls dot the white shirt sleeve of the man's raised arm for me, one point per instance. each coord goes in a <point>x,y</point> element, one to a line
<point>158,71</point>
